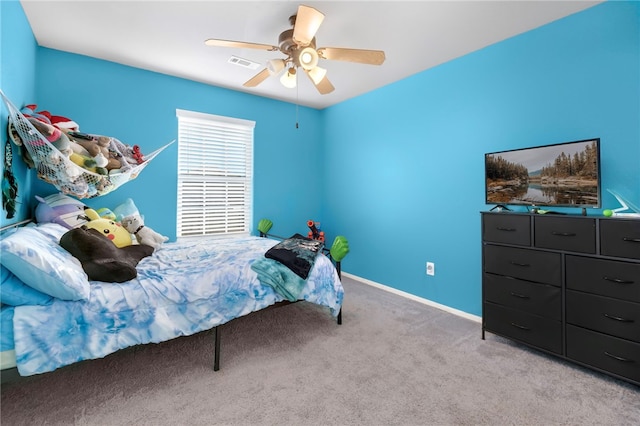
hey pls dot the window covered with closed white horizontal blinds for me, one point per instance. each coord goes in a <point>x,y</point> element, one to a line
<point>215,168</point>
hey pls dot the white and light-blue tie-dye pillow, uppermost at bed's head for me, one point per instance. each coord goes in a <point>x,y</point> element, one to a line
<point>36,257</point>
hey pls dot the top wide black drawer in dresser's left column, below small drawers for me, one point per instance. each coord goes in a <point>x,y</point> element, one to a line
<point>532,265</point>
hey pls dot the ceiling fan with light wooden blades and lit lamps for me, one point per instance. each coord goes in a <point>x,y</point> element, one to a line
<point>299,46</point>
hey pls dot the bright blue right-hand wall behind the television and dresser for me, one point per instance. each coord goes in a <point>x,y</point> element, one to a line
<point>404,164</point>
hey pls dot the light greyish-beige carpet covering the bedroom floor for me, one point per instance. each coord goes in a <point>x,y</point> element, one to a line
<point>392,362</point>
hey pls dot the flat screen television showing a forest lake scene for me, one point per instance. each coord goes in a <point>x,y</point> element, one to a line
<point>559,175</point>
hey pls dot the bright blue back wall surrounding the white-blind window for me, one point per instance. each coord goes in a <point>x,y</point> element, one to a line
<point>139,107</point>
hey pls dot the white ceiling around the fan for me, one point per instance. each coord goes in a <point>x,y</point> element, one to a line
<point>168,36</point>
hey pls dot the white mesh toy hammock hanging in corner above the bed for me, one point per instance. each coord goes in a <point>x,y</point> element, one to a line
<point>56,168</point>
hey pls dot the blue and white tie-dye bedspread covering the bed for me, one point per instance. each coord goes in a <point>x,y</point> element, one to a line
<point>183,288</point>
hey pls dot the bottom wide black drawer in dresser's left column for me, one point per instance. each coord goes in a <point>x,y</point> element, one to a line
<point>538,331</point>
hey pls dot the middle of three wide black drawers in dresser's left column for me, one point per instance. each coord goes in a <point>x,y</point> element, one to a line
<point>539,299</point>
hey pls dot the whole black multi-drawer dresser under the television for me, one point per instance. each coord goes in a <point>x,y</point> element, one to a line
<point>567,285</point>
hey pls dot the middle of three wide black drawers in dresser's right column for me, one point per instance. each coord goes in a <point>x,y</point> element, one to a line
<point>599,313</point>
